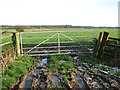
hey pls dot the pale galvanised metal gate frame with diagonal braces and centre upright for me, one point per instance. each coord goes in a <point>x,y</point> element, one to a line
<point>57,52</point>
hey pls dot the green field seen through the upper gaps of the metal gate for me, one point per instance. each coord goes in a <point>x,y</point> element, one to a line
<point>40,37</point>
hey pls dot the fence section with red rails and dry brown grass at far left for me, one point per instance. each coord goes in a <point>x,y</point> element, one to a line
<point>7,55</point>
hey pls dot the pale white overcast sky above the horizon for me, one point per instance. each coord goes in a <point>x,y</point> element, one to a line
<point>59,12</point>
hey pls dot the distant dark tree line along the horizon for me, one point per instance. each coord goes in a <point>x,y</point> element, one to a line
<point>48,26</point>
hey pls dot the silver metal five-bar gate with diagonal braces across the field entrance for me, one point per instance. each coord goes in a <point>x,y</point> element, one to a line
<point>59,34</point>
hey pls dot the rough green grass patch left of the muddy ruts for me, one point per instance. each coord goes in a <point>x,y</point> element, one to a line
<point>17,69</point>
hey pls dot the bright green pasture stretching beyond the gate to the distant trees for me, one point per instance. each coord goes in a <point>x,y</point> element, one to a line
<point>112,33</point>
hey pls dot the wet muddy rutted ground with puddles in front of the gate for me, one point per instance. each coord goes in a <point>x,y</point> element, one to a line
<point>80,77</point>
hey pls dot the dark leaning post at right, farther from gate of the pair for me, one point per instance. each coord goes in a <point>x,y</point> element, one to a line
<point>102,45</point>
